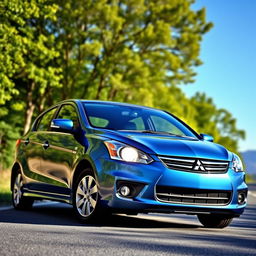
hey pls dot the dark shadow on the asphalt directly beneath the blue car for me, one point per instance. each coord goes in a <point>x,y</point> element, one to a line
<point>62,214</point>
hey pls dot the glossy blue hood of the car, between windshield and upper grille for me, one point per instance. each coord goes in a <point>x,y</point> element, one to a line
<point>169,145</point>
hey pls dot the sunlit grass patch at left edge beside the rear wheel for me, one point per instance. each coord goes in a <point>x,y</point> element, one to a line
<point>5,193</point>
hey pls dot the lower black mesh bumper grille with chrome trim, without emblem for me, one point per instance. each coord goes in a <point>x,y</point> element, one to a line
<point>192,196</point>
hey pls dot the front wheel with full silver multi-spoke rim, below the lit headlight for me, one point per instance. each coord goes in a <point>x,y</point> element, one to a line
<point>86,197</point>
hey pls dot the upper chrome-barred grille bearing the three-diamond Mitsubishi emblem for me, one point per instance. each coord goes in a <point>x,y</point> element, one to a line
<point>198,165</point>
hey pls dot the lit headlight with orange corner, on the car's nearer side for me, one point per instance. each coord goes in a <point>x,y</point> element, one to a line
<point>123,152</point>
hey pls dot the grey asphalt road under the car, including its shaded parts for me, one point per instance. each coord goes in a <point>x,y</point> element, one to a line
<point>52,230</point>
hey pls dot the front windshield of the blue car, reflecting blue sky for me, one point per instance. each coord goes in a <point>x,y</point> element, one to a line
<point>133,118</point>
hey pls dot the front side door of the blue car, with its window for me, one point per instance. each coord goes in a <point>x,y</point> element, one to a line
<point>60,152</point>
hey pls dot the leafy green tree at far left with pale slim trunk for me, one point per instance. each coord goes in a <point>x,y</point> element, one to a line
<point>27,53</point>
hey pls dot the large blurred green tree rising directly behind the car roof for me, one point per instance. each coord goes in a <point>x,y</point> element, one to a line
<point>125,50</point>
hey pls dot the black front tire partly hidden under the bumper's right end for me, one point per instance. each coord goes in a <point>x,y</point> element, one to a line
<point>214,220</point>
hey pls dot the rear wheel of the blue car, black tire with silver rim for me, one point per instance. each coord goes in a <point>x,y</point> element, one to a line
<point>19,201</point>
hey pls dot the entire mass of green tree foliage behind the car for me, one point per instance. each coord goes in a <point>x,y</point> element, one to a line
<point>136,51</point>
